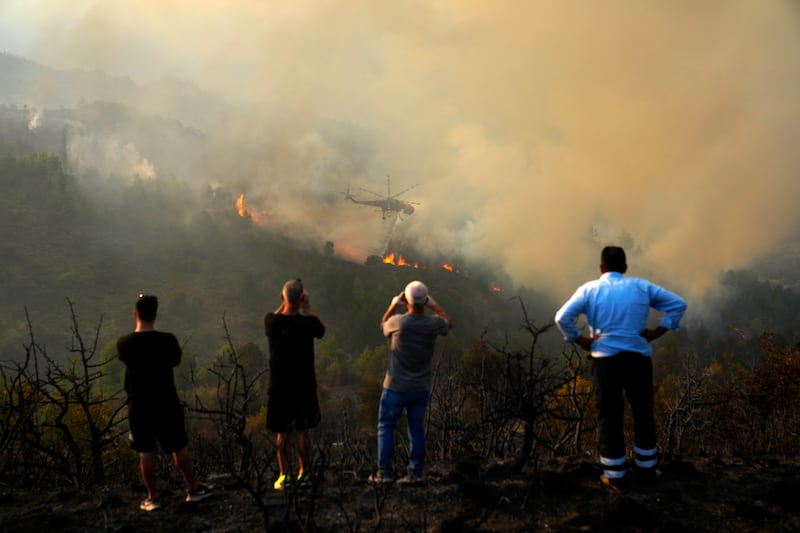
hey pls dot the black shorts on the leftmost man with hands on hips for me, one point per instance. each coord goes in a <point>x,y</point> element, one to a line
<point>162,424</point>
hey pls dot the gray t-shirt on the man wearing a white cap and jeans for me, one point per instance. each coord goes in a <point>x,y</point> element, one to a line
<point>411,351</point>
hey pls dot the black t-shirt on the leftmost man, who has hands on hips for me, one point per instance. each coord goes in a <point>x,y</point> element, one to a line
<point>149,358</point>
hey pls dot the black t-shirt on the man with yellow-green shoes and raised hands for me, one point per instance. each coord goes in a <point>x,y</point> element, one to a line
<point>291,353</point>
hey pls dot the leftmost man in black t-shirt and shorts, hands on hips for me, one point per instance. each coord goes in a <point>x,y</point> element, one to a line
<point>154,412</point>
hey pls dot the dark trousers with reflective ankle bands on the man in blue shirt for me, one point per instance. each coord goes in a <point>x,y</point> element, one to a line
<point>625,375</point>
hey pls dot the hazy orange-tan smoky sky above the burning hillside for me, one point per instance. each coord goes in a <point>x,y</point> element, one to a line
<point>525,122</point>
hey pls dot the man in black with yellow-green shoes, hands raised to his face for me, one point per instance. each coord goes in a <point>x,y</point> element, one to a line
<point>293,405</point>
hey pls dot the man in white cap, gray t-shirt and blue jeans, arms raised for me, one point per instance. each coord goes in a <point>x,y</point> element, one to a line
<point>407,383</point>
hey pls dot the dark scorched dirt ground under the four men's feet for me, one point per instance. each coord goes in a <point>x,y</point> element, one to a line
<point>565,495</point>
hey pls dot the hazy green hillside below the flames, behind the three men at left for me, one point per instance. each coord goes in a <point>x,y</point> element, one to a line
<point>205,261</point>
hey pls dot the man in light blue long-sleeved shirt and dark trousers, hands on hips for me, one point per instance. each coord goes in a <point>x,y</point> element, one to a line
<point>616,308</point>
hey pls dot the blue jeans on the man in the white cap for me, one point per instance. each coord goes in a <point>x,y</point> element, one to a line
<point>391,406</point>
